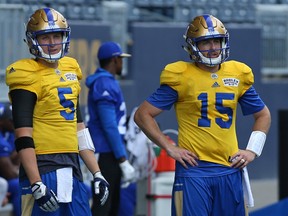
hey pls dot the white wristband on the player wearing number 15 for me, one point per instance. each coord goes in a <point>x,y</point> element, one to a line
<point>256,142</point>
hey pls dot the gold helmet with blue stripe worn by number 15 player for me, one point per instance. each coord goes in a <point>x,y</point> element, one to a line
<point>202,28</point>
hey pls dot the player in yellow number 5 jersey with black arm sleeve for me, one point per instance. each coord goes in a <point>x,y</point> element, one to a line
<point>50,133</point>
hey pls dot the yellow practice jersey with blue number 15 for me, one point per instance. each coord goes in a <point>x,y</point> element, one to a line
<point>206,106</point>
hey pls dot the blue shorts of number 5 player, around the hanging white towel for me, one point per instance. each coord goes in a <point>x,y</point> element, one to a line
<point>78,207</point>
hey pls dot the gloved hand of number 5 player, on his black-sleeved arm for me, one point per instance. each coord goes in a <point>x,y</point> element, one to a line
<point>46,199</point>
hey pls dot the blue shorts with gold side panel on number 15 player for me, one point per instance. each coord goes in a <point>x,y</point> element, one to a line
<point>211,195</point>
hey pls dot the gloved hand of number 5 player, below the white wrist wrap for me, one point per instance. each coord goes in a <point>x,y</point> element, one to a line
<point>101,188</point>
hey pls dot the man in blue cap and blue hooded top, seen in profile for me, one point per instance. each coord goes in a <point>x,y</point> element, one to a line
<point>107,124</point>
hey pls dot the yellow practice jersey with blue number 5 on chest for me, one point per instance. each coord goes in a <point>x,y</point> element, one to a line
<point>57,90</point>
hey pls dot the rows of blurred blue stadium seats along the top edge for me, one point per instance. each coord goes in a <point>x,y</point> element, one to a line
<point>231,11</point>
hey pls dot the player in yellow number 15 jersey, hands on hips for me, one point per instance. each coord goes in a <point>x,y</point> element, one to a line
<point>205,94</point>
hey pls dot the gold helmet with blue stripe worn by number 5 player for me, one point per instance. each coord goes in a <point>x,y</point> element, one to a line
<point>43,21</point>
